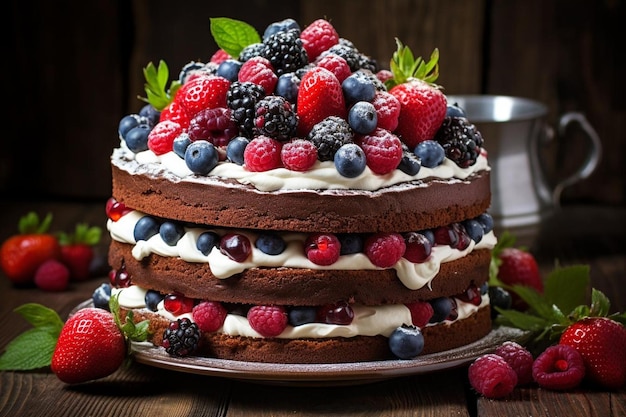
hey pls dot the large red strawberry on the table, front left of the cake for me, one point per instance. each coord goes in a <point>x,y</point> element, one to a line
<point>90,346</point>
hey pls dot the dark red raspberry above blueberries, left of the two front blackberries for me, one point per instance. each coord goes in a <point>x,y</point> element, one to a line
<point>214,125</point>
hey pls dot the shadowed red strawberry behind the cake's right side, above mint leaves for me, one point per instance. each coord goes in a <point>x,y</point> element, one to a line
<point>519,267</point>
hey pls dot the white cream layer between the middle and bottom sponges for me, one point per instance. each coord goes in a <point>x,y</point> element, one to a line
<point>368,320</point>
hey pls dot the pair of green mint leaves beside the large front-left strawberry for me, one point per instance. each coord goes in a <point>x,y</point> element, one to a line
<point>33,349</point>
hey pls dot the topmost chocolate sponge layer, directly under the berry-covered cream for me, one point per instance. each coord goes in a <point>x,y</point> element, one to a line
<point>413,206</point>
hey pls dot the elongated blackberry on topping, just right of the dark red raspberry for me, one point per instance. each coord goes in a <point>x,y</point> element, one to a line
<point>241,99</point>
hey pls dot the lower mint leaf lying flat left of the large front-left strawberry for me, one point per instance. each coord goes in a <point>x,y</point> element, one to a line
<point>32,349</point>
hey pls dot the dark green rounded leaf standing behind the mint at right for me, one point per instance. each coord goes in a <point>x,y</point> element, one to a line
<point>567,286</point>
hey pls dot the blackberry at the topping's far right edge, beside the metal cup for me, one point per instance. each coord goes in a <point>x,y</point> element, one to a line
<point>460,141</point>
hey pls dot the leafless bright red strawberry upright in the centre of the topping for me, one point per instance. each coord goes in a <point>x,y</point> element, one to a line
<point>320,96</point>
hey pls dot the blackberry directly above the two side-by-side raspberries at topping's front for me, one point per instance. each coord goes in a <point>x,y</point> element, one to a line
<point>274,117</point>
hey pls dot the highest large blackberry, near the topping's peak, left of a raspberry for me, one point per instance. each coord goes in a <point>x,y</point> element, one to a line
<point>285,51</point>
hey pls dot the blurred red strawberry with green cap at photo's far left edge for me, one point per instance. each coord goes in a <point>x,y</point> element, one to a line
<point>23,253</point>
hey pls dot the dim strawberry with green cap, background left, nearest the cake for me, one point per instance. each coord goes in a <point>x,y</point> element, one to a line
<point>77,250</point>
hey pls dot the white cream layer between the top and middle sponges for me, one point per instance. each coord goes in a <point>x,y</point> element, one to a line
<point>413,275</point>
